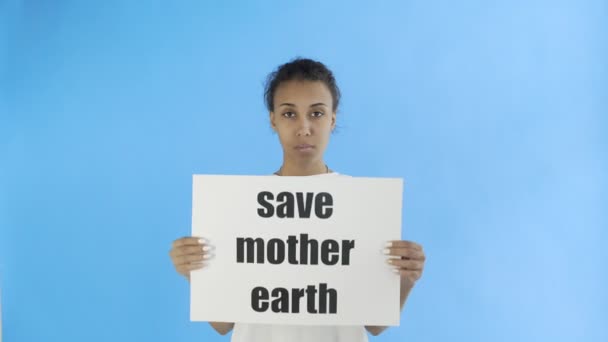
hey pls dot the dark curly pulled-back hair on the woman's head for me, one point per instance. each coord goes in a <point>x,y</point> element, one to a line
<point>301,69</point>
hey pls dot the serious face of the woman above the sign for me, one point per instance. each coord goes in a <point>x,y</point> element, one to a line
<point>303,118</point>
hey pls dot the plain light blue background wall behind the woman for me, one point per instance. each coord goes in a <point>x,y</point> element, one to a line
<point>494,113</point>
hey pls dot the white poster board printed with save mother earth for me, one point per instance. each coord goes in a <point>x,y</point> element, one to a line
<point>316,262</point>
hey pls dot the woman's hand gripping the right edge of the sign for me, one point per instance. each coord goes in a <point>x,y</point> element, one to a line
<point>407,258</point>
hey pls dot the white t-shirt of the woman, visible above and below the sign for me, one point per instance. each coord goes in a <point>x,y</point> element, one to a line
<point>298,333</point>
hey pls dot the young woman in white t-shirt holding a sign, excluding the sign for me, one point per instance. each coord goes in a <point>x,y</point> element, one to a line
<point>302,98</point>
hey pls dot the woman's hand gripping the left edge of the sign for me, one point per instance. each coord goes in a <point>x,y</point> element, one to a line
<point>190,253</point>
